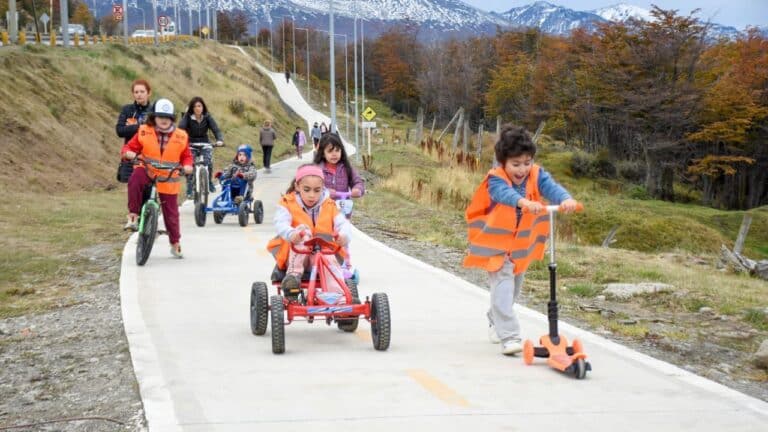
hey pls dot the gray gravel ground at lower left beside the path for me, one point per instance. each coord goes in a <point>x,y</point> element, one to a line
<point>72,362</point>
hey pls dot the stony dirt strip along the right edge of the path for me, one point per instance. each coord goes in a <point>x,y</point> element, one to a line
<point>712,353</point>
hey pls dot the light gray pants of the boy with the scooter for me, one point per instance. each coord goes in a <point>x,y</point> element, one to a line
<point>505,290</point>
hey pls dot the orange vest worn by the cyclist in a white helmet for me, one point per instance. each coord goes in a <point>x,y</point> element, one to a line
<point>171,154</point>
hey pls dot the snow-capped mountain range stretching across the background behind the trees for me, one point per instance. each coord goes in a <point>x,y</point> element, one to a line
<point>435,18</point>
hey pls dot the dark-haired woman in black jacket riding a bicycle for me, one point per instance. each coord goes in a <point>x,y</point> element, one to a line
<point>197,121</point>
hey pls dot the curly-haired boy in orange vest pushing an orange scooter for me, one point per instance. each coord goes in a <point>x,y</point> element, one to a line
<point>503,239</point>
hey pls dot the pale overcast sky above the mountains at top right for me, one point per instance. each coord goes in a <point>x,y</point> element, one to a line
<point>736,13</point>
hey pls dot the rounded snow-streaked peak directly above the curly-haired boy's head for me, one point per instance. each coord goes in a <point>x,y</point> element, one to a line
<point>550,18</point>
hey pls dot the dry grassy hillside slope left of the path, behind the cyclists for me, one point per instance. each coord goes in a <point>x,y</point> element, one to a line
<point>59,126</point>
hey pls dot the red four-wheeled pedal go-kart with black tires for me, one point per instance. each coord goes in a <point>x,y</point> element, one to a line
<point>313,300</point>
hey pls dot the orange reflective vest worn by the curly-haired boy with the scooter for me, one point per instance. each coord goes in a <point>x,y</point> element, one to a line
<point>494,234</point>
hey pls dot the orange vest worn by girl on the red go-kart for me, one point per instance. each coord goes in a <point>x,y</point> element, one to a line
<point>323,227</point>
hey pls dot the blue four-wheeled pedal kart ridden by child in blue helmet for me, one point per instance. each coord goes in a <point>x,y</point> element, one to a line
<point>225,203</point>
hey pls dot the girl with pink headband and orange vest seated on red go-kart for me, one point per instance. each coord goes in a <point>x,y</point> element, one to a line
<point>306,210</point>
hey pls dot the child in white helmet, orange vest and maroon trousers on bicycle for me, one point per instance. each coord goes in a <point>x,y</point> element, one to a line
<point>160,140</point>
